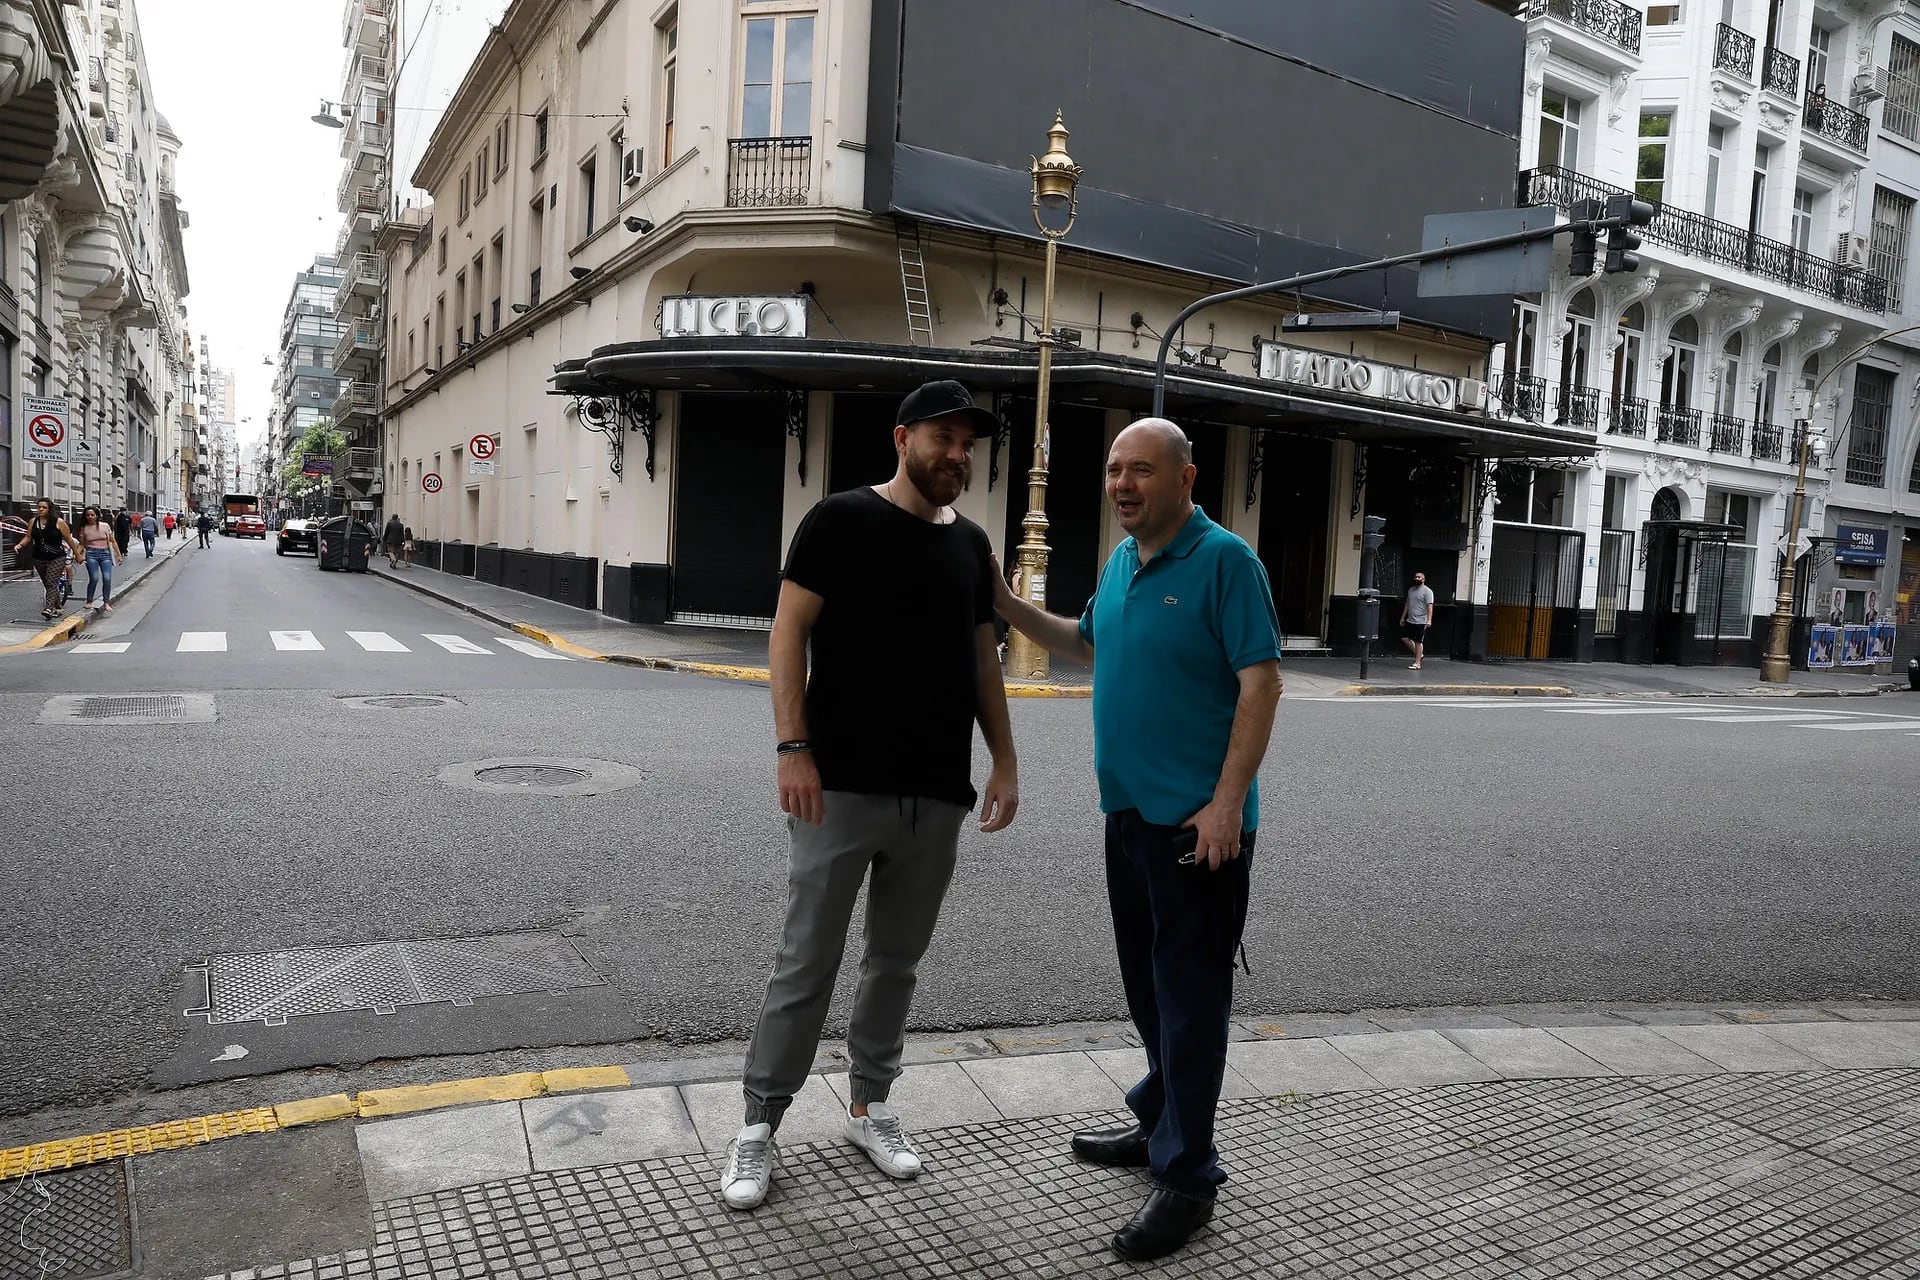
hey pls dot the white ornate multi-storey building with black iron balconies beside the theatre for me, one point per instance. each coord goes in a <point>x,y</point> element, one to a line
<point>1777,256</point>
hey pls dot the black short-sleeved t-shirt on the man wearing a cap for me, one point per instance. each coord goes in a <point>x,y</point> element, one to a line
<point>896,678</point>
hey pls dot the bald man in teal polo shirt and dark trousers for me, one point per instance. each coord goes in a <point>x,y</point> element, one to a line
<point>1186,680</point>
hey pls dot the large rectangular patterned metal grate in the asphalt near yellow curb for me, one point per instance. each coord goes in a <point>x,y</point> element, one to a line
<point>272,987</point>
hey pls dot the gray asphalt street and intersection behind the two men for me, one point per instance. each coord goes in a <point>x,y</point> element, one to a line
<point>1414,853</point>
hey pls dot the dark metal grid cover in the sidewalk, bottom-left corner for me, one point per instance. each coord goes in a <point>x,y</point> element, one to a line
<point>74,1225</point>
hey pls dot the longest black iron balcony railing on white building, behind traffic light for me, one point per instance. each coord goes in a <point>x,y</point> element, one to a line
<point>1717,243</point>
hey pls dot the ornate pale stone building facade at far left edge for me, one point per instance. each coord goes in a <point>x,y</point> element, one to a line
<point>93,273</point>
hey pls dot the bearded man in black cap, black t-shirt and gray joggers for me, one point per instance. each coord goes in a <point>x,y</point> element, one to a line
<point>894,592</point>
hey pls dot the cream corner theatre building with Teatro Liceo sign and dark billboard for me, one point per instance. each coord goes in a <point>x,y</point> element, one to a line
<point>683,262</point>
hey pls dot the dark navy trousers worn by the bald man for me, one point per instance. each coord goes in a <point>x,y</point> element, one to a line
<point>1176,930</point>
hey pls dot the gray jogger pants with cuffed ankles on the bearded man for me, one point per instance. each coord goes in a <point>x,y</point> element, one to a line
<point>911,845</point>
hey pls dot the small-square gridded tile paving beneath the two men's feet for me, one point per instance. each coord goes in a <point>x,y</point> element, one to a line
<point>1508,1181</point>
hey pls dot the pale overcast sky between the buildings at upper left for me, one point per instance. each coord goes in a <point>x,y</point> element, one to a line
<point>239,82</point>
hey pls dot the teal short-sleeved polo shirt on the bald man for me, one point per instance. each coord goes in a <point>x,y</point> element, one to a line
<point>1168,644</point>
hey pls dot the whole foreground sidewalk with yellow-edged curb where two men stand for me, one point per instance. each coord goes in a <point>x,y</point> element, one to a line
<point>1516,1141</point>
